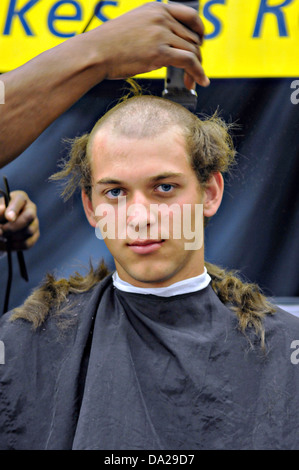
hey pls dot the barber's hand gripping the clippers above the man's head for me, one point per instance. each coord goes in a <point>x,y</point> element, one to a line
<point>152,36</point>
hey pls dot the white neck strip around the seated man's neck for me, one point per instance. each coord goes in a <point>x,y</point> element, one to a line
<point>192,284</point>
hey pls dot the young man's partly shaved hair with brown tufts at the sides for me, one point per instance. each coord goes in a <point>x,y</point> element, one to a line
<point>208,142</point>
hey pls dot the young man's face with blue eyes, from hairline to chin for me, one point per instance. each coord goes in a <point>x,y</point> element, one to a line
<point>145,174</point>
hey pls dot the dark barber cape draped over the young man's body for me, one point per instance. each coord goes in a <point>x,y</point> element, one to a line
<point>145,372</point>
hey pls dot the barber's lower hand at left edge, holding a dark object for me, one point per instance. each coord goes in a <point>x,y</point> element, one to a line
<point>19,222</point>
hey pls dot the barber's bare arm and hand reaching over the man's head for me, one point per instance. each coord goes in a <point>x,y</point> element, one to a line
<point>147,38</point>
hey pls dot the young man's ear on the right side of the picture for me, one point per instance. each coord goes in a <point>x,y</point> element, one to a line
<point>213,193</point>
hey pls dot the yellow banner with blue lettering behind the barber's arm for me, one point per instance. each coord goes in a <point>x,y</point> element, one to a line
<point>244,38</point>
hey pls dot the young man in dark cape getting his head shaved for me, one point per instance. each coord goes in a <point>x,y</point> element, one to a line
<point>168,352</point>
